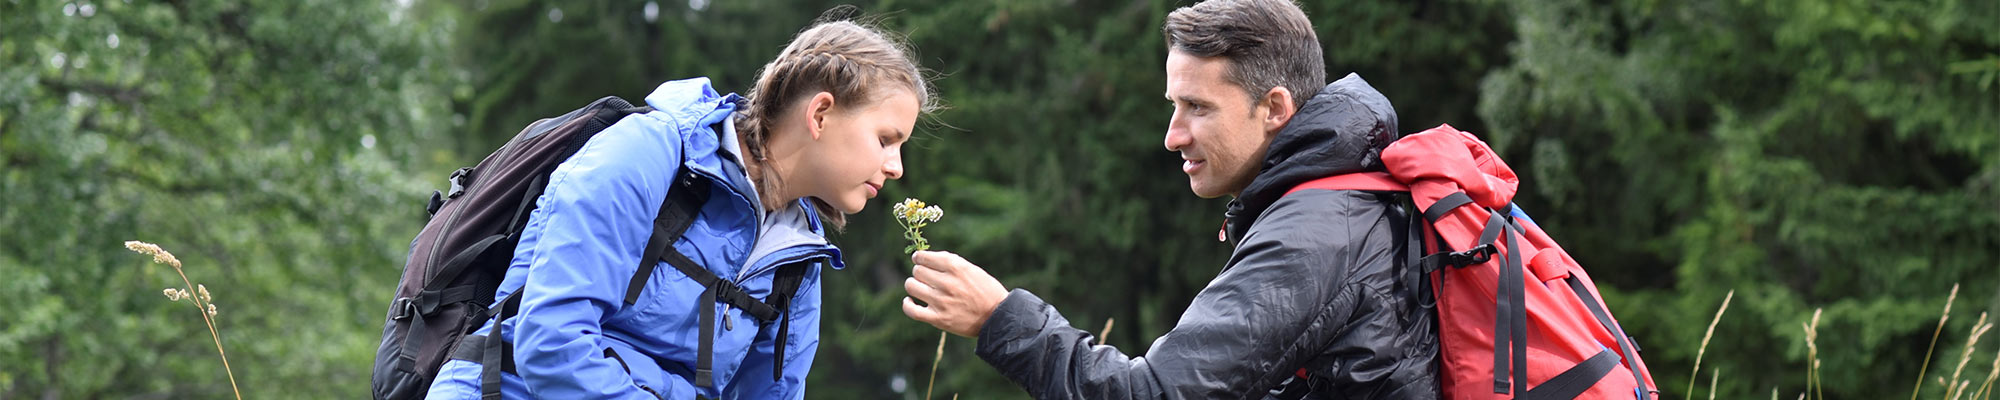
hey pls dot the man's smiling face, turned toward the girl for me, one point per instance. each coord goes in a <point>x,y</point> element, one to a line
<point>1217,129</point>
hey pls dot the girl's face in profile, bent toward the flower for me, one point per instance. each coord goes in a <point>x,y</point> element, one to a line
<point>857,149</point>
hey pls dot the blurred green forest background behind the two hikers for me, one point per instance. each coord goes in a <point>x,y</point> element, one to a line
<point>1837,155</point>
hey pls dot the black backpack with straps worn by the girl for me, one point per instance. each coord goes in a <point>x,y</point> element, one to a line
<point>463,253</point>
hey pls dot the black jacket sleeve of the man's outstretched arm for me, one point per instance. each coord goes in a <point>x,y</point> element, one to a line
<point>1253,327</point>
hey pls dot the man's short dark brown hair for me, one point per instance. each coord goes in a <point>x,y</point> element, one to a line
<point>1269,45</point>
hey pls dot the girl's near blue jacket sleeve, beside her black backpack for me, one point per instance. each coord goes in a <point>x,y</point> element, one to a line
<point>589,233</point>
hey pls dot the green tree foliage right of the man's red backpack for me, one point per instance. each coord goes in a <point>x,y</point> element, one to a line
<point>1807,155</point>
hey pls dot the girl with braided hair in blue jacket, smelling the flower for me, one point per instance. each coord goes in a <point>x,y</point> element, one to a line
<point>819,135</point>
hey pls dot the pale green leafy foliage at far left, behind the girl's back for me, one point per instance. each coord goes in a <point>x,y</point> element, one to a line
<point>265,147</point>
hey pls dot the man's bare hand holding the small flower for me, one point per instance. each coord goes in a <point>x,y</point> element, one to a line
<point>959,295</point>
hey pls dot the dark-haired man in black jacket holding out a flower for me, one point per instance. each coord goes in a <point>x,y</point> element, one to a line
<point>1315,297</point>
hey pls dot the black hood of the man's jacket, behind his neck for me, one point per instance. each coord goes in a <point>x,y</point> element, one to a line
<point>1343,129</point>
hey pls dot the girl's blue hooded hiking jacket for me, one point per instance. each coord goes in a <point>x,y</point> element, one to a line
<point>583,245</point>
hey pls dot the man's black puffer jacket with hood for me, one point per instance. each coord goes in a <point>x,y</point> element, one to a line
<point>1315,283</point>
